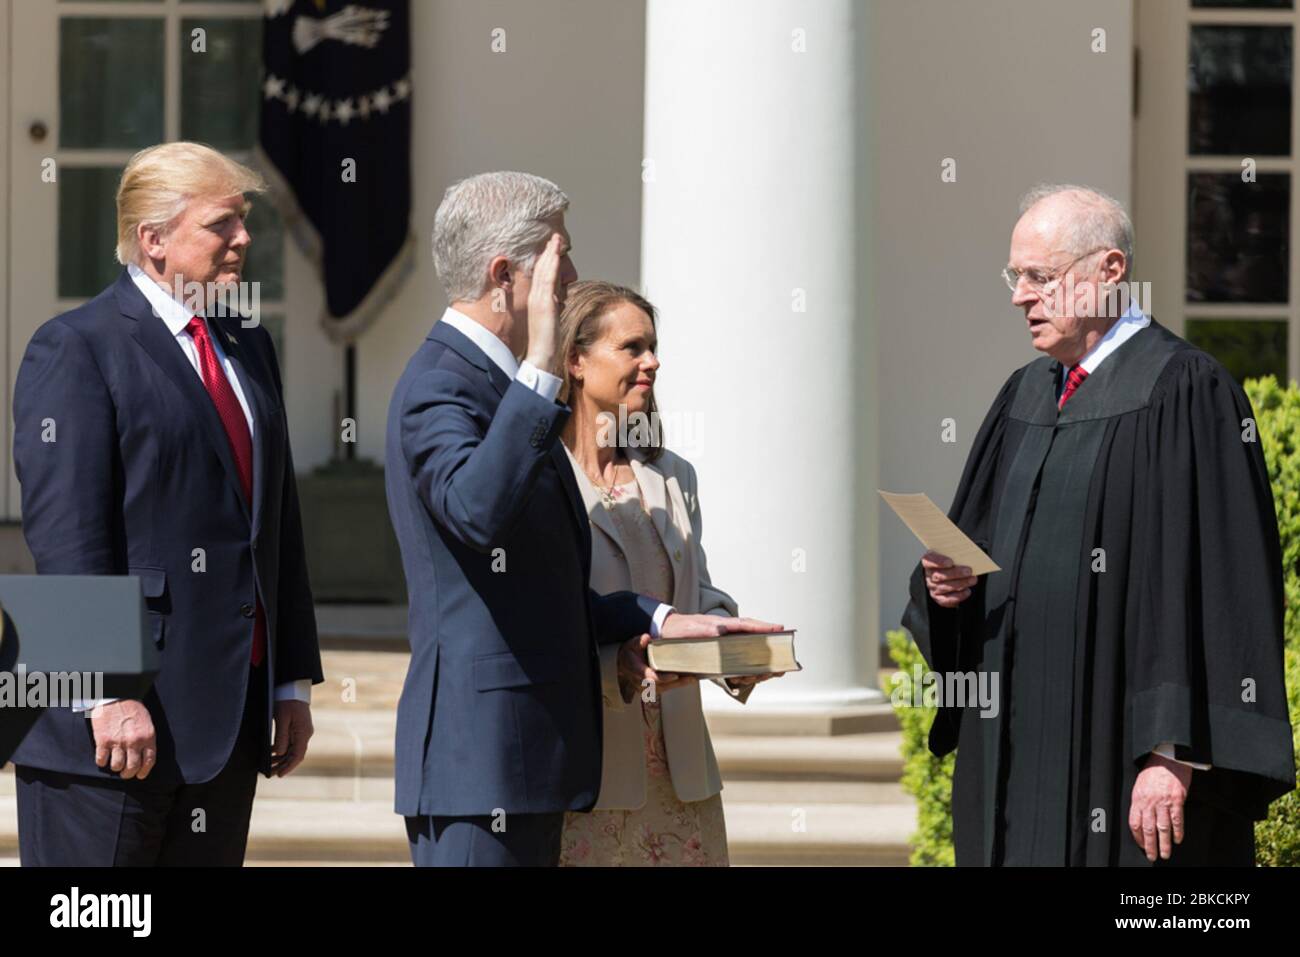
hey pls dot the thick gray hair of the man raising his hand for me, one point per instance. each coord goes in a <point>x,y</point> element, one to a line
<point>487,216</point>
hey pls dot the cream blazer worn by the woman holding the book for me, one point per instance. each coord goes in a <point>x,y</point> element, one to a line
<point>669,491</point>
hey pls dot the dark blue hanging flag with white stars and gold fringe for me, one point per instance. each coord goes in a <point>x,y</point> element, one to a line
<point>336,144</point>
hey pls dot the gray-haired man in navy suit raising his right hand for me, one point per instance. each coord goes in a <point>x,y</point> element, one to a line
<point>500,721</point>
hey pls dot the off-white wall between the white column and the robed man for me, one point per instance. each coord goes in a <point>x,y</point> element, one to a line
<point>1013,93</point>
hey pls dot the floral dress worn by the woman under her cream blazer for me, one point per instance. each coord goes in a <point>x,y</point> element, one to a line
<point>665,832</point>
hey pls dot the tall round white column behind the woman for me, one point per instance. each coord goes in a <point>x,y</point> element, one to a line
<point>755,250</point>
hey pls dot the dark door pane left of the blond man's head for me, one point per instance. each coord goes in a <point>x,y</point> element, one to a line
<point>88,231</point>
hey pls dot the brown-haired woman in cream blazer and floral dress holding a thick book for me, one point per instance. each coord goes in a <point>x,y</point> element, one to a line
<point>661,791</point>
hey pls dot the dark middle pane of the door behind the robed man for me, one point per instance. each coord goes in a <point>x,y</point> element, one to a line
<point>1238,239</point>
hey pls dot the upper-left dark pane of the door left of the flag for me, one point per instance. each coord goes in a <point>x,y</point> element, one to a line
<point>110,83</point>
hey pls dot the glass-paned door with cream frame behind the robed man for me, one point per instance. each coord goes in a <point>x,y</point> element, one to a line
<point>1216,207</point>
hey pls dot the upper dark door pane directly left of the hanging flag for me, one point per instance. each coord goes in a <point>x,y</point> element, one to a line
<point>220,88</point>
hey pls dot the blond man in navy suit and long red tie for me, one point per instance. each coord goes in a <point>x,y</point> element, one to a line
<point>153,441</point>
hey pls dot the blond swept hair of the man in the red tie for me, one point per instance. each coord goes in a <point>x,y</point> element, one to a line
<point>161,181</point>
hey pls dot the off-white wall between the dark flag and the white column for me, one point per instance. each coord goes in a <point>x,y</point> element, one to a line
<point>565,102</point>
